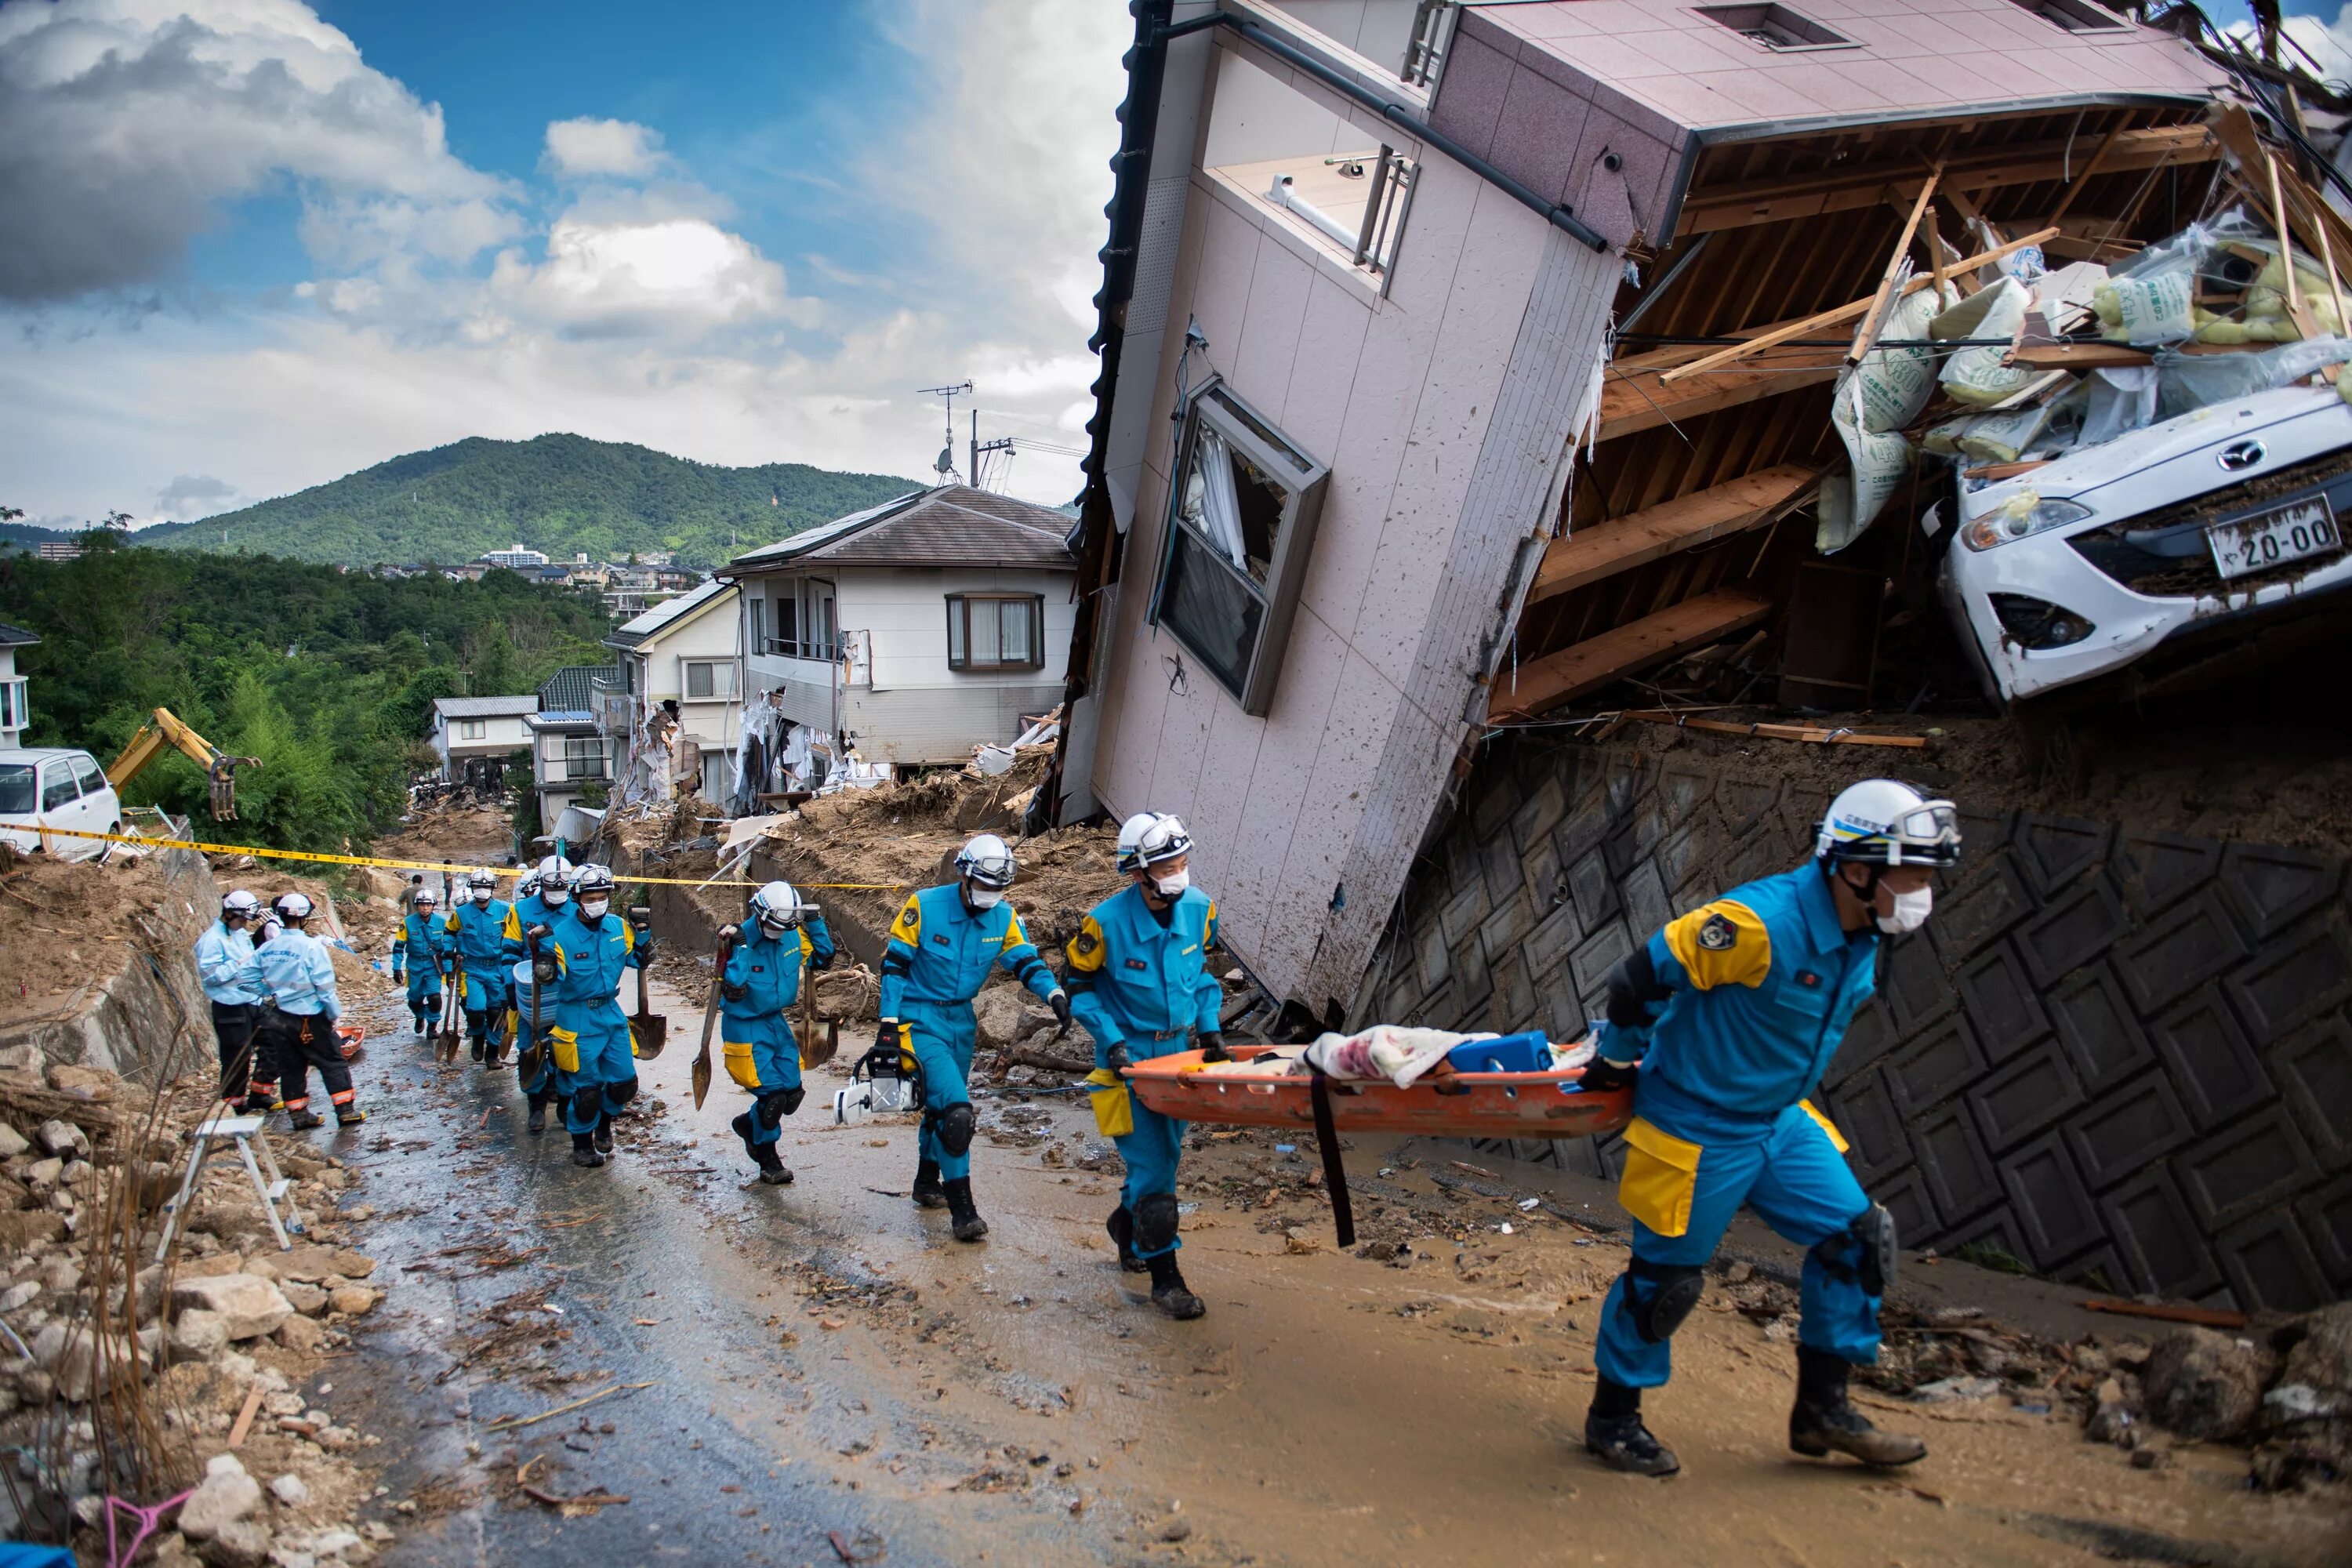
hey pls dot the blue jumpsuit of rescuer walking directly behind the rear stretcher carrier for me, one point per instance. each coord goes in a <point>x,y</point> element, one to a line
<point>933,970</point>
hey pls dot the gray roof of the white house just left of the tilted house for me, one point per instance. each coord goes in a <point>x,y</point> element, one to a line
<point>935,528</point>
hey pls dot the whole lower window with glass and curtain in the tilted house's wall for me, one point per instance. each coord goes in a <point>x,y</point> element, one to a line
<point>1241,528</point>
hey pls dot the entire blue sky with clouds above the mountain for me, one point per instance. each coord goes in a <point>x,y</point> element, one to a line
<point>281,241</point>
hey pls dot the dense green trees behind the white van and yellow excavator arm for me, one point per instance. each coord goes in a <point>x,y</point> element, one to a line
<point>321,674</point>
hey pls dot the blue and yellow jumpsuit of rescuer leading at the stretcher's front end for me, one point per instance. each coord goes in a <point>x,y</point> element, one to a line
<point>1763,986</point>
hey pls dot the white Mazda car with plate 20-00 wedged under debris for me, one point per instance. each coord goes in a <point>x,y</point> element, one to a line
<point>2160,551</point>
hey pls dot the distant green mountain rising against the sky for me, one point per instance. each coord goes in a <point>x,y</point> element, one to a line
<point>556,492</point>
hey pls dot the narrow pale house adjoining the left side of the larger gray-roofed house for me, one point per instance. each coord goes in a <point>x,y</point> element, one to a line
<point>683,652</point>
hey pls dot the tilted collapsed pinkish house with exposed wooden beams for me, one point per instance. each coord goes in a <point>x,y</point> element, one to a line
<point>1382,248</point>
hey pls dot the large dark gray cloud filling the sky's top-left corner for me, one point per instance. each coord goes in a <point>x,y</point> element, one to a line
<point>126,123</point>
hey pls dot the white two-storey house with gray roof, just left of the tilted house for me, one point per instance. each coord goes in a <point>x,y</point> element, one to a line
<point>914,631</point>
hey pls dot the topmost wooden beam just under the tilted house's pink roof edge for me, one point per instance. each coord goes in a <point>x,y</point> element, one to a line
<point>1805,196</point>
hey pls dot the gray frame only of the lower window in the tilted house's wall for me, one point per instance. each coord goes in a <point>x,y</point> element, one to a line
<point>1304,483</point>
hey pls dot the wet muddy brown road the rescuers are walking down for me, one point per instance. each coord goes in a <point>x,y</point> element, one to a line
<point>817,1374</point>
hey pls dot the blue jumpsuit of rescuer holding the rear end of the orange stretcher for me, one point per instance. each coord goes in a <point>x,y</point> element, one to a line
<point>1142,979</point>
